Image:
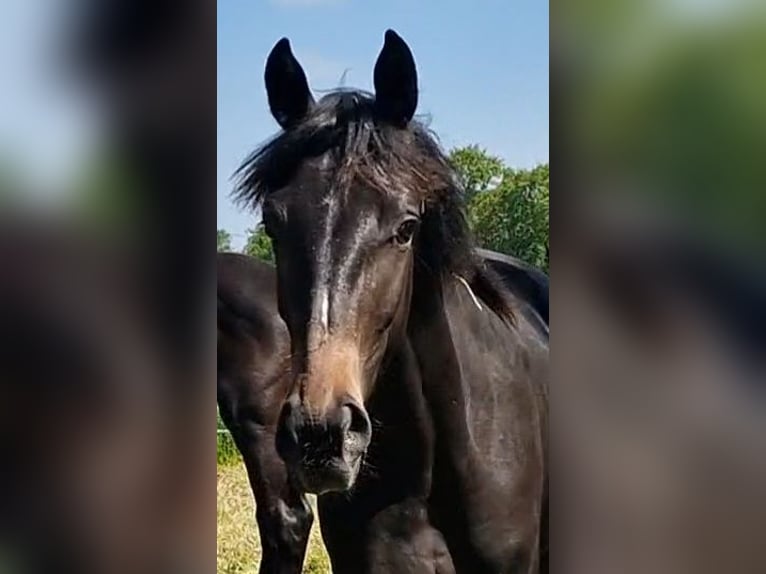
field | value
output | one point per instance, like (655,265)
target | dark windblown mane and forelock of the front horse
(389,160)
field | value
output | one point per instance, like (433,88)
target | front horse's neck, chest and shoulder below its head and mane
(447,460)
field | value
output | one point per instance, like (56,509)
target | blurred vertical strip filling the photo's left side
(107,455)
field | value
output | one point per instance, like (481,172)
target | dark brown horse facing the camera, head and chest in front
(417,409)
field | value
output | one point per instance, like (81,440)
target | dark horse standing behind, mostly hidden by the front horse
(253,381)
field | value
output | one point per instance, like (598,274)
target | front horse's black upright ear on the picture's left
(286,85)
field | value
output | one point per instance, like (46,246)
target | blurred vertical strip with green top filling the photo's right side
(658,111)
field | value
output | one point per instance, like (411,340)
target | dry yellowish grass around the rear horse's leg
(239,550)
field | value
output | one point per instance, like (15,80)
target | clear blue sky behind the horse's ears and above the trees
(482,66)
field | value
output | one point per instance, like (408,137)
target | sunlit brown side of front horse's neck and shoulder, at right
(489,410)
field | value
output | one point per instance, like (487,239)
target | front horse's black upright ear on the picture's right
(396,82)
